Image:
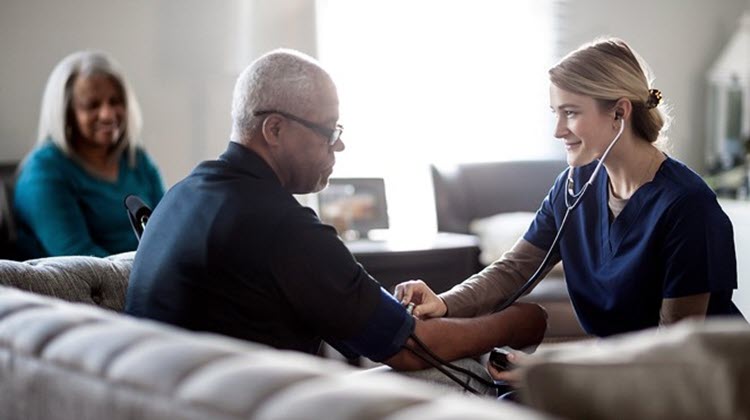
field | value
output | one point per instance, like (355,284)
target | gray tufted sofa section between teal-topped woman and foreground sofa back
(97,281)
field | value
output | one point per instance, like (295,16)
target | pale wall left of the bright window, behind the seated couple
(182,56)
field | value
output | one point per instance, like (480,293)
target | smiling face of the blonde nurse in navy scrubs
(585,129)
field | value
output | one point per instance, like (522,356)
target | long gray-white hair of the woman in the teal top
(58,96)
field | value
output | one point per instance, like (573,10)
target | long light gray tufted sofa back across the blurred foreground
(70,361)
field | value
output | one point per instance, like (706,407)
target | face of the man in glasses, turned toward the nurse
(308,155)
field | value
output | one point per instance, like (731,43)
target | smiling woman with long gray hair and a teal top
(88,158)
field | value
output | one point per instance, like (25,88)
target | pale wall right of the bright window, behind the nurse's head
(678,38)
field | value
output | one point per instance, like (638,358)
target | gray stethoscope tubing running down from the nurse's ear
(576,200)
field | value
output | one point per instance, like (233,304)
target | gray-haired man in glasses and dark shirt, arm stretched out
(229,249)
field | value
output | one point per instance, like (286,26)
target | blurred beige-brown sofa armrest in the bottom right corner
(689,370)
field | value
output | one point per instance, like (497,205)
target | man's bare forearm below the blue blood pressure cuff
(521,325)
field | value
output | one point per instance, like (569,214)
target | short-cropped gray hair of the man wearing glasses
(281,80)
